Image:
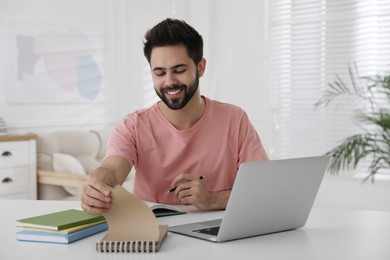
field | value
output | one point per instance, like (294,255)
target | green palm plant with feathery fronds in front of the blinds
(373,144)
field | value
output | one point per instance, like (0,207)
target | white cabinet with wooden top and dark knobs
(18,166)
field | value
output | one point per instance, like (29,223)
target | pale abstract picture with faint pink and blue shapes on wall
(53,64)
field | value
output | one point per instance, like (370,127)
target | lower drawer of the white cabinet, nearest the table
(14,180)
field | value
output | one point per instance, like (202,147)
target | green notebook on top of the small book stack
(60,220)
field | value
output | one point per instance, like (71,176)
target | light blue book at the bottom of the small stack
(60,238)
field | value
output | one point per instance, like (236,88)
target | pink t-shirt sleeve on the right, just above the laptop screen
(250,145)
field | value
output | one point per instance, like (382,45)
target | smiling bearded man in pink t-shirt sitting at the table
(186,143)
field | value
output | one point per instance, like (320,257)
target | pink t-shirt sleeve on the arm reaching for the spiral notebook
(122,141)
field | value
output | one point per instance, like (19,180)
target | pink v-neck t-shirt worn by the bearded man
(214,147)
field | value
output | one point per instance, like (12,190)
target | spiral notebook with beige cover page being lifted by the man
(132,226)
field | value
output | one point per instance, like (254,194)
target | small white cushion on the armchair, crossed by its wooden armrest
(66,163)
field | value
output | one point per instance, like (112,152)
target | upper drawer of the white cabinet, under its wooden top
(15,153)
